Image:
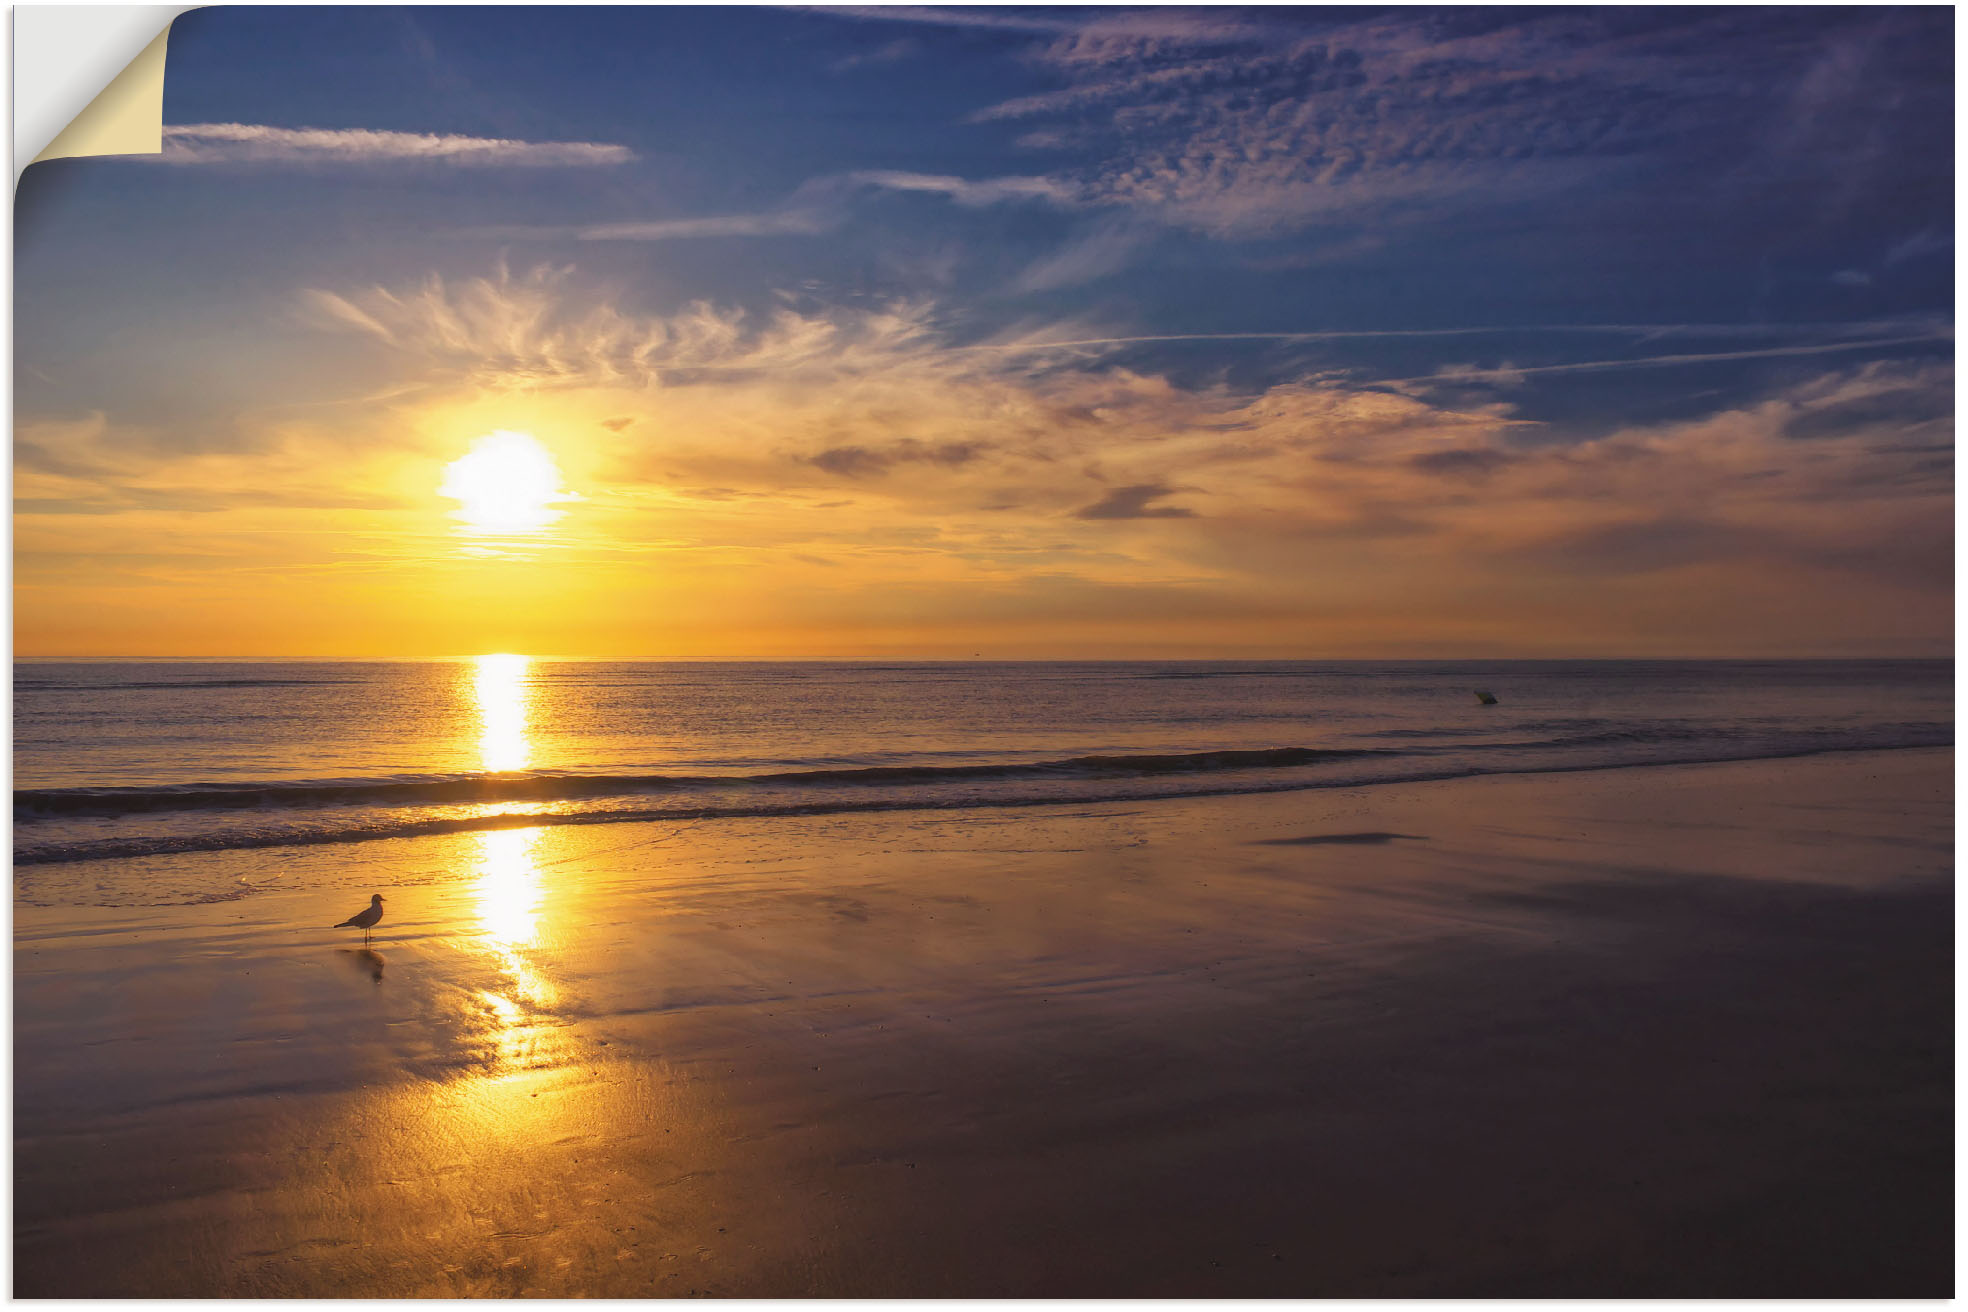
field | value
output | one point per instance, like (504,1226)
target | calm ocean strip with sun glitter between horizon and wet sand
(133,764)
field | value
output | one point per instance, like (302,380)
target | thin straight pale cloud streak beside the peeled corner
(263,145)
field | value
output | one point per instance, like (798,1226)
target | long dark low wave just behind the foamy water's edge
(568,788)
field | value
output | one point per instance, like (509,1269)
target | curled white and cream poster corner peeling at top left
(90,80)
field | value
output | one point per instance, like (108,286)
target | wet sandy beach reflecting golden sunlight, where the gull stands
(1672,1032)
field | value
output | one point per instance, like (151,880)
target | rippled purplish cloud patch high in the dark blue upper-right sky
(1245,131)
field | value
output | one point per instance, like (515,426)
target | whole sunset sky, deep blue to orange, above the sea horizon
(1026,333)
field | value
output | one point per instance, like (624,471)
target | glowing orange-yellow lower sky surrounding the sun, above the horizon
(841,485)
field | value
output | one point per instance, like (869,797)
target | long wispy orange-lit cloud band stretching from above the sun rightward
(845,392)
